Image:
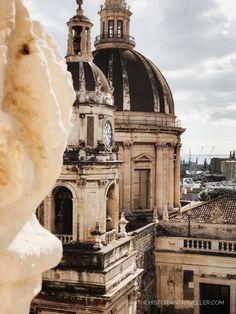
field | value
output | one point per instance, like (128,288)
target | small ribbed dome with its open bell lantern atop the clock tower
(89,81)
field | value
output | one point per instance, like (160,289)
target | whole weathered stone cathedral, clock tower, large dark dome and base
(122,160)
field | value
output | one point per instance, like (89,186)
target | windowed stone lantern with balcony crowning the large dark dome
(115,26)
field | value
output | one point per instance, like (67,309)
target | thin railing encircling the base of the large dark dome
(166,122)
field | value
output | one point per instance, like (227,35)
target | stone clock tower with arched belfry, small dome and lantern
(83,206)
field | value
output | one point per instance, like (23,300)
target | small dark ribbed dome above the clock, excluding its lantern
(90,83)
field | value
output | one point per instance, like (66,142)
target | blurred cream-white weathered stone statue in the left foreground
(36,97)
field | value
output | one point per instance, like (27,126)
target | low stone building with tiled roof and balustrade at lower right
(195,260)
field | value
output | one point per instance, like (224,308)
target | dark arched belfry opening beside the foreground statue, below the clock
(63,210)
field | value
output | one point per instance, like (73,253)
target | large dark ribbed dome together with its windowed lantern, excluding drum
(139,86)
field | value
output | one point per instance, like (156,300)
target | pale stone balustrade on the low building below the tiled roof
(217,246)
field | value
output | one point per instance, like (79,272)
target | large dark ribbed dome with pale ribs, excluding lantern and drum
(138,84)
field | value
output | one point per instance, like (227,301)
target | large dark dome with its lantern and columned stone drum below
(147,131)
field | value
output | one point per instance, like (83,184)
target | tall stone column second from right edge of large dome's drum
(170,175)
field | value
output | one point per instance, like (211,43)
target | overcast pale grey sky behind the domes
(193,42)
